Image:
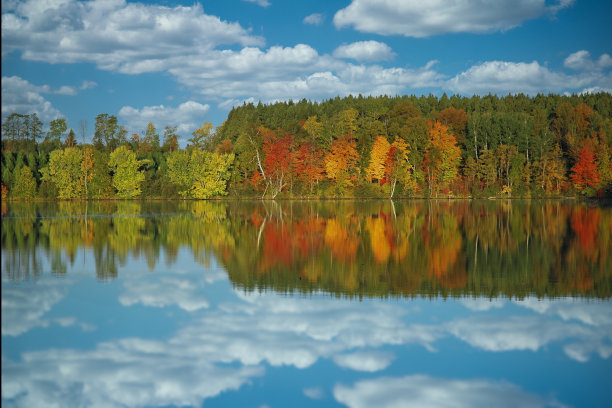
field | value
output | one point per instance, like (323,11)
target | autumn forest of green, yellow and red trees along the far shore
(352,147)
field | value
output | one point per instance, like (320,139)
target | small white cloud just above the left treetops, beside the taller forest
(187,116)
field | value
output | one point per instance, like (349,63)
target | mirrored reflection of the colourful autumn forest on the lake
(348,248)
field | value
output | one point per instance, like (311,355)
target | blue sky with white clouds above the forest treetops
(182,63)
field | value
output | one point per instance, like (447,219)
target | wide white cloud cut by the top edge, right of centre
(416,18)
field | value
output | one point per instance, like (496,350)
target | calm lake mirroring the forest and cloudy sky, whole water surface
(332,303)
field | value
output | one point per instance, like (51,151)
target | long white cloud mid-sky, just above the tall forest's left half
(297,72)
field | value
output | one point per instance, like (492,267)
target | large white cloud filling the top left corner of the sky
(114,34)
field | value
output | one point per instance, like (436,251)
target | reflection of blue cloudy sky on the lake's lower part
(183,336)
